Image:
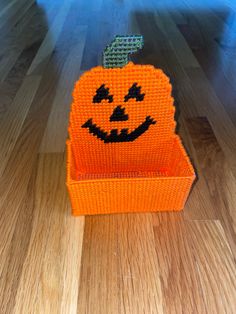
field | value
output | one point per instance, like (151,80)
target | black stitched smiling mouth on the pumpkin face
(123,136)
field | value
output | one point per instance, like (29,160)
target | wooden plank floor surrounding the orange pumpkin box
(51,262)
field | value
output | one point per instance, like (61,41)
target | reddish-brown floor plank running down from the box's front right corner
(182,292)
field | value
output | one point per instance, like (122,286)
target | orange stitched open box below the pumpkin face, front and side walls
(164,190)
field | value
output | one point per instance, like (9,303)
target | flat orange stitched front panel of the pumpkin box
(119,196)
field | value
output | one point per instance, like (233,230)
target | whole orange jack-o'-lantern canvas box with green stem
(123,154)
